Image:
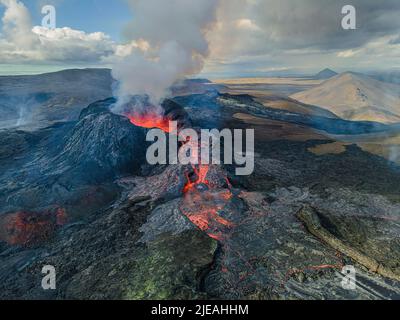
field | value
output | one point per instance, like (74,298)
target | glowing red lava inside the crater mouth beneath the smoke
(149,119)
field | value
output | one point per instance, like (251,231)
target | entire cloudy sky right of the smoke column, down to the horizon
(258,35)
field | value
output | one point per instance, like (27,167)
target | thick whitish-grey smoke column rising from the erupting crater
(175,31)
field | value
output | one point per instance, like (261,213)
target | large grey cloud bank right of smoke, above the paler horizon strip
(288,24)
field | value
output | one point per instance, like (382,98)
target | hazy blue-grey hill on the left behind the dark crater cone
(36,101)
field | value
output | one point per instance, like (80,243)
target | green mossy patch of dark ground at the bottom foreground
(172,267)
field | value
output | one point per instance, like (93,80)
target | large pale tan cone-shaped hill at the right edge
(354,96)
